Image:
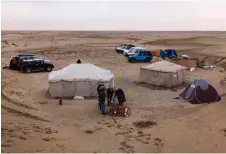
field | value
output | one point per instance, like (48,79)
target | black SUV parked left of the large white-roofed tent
(36,64)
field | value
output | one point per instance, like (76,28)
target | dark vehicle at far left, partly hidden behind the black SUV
(14,62)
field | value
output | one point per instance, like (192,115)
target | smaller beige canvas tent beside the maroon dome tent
(162,73)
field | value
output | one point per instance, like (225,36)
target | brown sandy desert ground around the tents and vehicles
(33,122)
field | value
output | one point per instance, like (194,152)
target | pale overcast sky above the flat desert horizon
(160,15)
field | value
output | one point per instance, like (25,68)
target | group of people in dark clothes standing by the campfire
(113,96)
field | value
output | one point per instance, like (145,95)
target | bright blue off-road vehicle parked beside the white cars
(142,55)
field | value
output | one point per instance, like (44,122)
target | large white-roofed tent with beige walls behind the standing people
(78,80)
